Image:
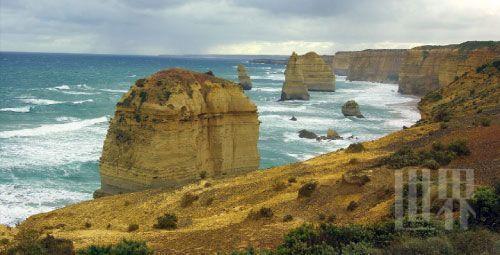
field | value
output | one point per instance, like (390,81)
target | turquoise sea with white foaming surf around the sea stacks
(54,112)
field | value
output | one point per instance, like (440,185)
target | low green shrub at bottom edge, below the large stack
(125,247)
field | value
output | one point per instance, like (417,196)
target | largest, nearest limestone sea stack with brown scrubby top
(174,125)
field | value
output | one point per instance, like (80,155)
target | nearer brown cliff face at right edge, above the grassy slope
(430,67)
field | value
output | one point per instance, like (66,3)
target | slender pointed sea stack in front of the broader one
(294,87)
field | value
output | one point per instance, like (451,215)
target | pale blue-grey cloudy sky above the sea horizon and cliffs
(152,27)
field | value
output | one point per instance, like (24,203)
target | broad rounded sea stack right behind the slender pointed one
(318,75)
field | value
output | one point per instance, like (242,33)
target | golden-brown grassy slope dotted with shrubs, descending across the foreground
(217,219)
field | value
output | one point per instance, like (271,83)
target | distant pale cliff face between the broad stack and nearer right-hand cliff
(376,65)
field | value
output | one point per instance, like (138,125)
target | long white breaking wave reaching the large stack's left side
(52,128)
